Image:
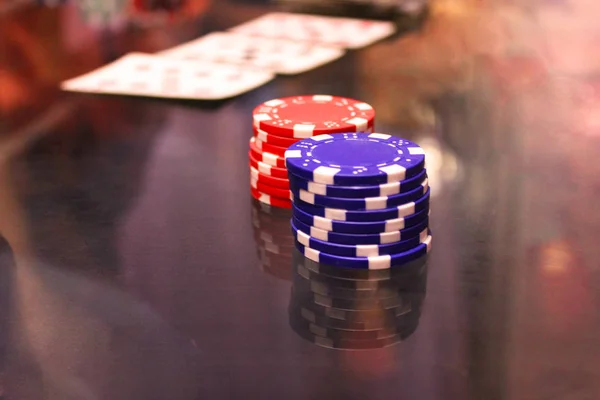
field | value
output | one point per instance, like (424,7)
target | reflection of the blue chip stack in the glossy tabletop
(355,309)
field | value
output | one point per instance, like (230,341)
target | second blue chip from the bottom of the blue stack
(361,250)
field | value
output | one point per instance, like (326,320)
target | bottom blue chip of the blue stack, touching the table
(373,262)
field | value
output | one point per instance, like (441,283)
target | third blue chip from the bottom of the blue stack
(369,238)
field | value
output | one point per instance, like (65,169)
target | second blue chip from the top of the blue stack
(384,189)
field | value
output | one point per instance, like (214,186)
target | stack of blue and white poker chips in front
(360,200)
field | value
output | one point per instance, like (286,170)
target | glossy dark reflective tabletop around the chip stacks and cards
(129,268)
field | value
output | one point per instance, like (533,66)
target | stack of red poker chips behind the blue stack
(279,123)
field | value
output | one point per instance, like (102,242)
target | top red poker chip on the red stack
(306,116)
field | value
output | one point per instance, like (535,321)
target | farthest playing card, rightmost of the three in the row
(340,32)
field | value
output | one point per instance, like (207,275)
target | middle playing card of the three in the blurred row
(277,55)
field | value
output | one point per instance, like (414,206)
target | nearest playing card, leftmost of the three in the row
(140,74)
